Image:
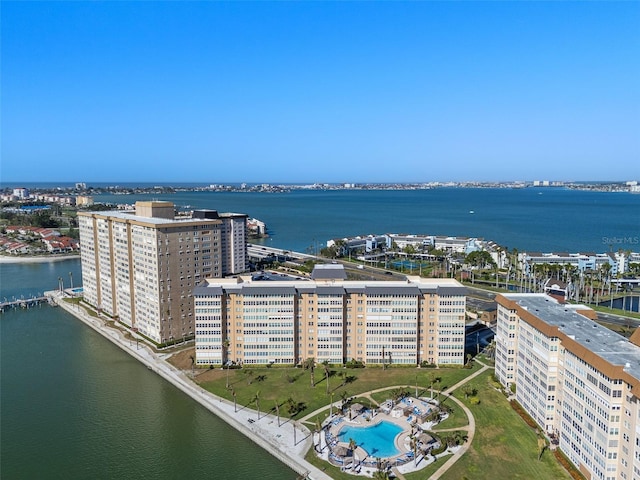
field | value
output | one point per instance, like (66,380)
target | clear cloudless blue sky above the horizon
(320,91)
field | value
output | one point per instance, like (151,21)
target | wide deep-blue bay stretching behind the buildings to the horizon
(535,219)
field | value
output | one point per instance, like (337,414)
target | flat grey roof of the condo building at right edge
(607,344)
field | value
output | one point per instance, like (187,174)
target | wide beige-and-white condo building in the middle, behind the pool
(329,318)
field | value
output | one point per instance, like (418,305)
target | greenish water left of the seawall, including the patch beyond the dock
(74,406)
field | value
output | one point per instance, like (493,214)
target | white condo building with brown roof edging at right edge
(577,379)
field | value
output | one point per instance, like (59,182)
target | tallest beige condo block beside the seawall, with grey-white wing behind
(141,267)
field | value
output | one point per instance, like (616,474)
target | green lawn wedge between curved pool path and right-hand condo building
(504,446)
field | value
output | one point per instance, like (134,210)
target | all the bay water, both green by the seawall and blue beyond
(75,406)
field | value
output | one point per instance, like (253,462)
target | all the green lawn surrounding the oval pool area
(503,447)
